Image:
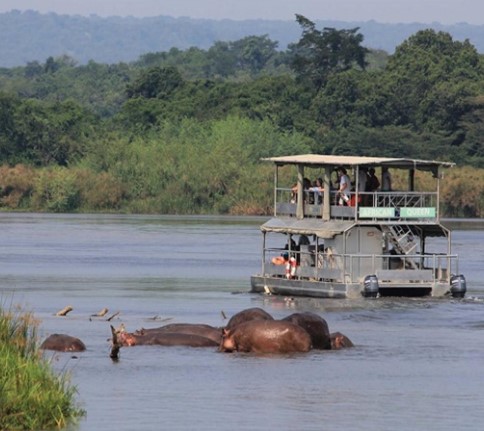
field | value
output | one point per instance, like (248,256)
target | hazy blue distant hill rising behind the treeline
(31,36)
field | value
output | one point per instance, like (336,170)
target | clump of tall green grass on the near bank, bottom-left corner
(32,396)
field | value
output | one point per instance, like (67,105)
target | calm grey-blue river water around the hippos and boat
(417,365)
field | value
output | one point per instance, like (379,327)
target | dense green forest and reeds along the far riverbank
(183,131)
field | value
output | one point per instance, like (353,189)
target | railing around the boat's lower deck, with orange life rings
(353,268)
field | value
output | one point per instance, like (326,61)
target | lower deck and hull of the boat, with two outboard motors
(354,260)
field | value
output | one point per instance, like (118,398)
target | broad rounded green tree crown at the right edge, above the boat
(430,79)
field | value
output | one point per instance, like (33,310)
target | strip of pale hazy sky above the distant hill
(385,11)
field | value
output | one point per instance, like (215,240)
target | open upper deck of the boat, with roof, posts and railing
(406,205)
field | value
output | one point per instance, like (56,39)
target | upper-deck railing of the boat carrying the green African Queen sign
(366,206)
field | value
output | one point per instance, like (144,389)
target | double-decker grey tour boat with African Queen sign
(381,242)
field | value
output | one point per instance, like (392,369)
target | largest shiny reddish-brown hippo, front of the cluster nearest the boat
(266,336)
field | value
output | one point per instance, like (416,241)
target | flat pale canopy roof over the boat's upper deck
(333,161)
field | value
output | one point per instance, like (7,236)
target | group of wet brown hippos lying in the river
(252,330)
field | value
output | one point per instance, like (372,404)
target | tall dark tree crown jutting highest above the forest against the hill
(318,54)
